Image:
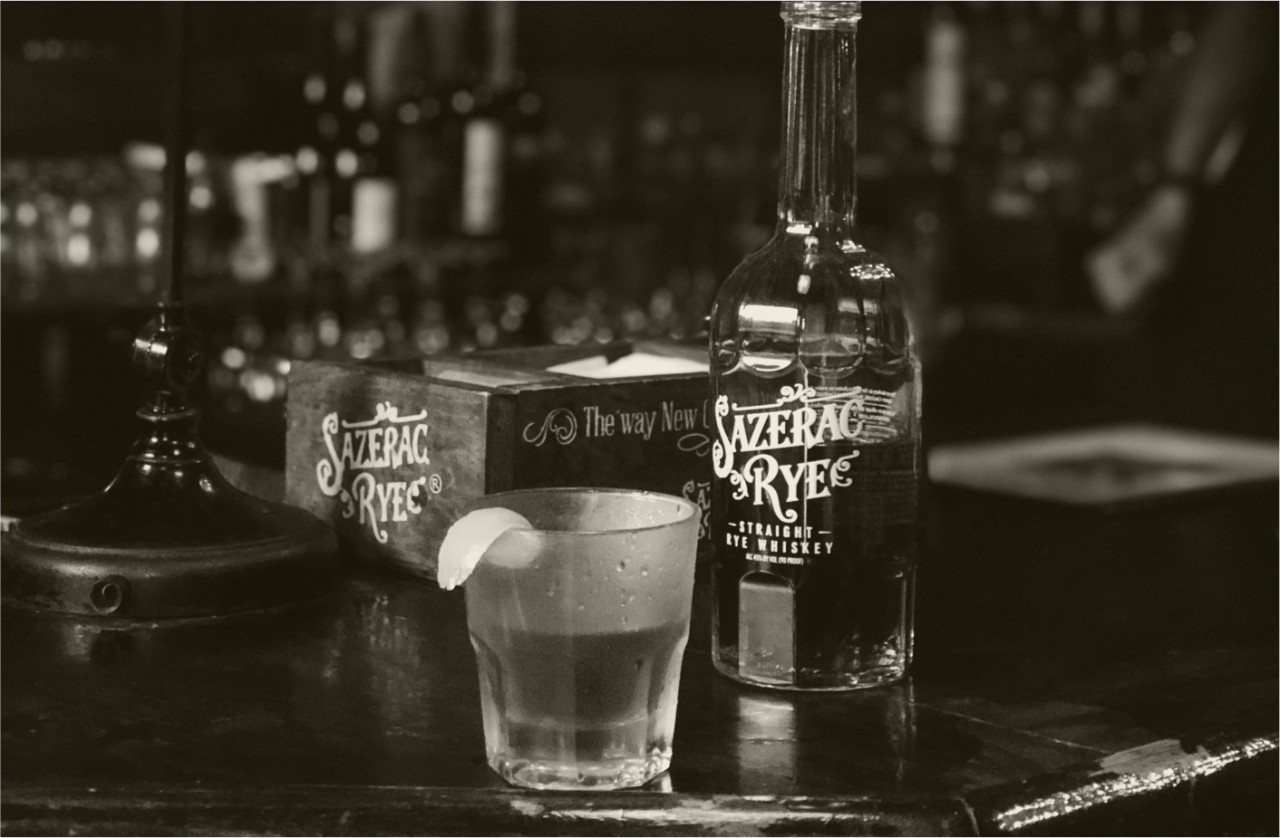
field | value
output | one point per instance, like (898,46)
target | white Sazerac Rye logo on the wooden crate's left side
(378,468)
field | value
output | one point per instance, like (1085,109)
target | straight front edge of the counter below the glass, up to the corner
(340,810)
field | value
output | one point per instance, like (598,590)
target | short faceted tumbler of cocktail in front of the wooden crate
(580,626)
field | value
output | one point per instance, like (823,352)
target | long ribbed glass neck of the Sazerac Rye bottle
(817,185)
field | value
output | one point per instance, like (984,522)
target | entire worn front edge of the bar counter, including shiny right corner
(1201,770)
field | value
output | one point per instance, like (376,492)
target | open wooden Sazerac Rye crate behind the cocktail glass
(391,454)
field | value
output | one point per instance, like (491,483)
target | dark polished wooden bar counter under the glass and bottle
(1077,674)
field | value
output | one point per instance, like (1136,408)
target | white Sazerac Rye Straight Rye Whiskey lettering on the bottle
(808,446)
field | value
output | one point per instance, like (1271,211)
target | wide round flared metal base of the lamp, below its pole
(168,539)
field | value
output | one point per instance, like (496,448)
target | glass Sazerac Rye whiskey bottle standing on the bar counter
(816,411)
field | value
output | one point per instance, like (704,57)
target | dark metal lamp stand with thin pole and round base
(170,538)
